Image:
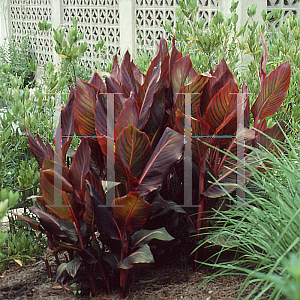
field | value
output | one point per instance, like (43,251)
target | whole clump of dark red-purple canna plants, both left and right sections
(133,123)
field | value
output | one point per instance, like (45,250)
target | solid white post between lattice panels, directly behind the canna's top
(127,26)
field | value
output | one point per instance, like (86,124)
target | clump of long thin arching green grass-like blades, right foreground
(263,231)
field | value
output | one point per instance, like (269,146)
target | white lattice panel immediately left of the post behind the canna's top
(98,20)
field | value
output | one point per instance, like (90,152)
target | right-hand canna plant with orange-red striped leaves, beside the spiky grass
(219,126)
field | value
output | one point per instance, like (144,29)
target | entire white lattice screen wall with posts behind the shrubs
(123,24)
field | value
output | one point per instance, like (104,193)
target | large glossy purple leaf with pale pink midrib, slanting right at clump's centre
(167,152)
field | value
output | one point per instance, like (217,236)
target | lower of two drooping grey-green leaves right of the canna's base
(142,255)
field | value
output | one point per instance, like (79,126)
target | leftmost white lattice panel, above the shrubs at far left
(25,16)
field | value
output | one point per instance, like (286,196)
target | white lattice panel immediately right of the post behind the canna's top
(152,14)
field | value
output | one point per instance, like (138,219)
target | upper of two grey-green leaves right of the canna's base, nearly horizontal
(144,236)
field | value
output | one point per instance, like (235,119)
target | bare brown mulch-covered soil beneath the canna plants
(155,282)
